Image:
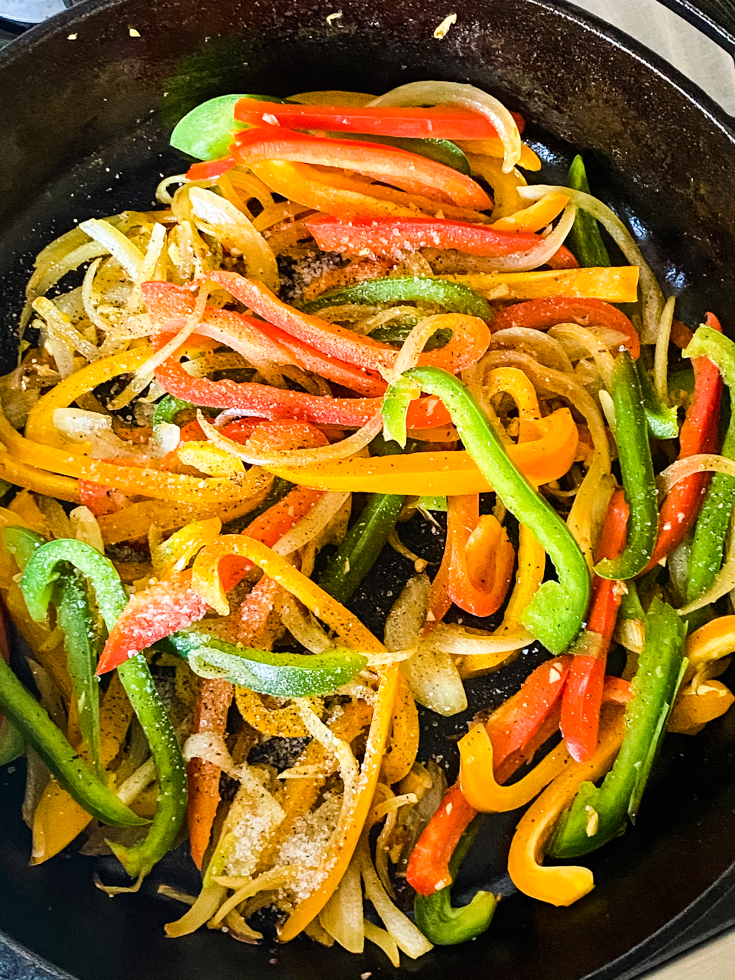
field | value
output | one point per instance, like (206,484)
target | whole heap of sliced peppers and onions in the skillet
(350,317)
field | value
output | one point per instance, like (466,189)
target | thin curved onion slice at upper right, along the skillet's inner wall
(652,300)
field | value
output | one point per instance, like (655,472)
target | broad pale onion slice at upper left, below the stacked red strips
(219,218)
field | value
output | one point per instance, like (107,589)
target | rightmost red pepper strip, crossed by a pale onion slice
(699,434)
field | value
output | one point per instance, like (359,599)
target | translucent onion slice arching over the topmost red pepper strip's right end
(468,97)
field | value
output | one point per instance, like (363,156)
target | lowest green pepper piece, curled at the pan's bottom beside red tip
(439,920)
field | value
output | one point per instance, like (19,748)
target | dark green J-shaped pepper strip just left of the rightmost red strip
(636,467)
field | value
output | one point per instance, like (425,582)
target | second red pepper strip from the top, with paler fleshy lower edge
(391,165)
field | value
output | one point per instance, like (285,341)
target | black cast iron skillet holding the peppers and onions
(87,106)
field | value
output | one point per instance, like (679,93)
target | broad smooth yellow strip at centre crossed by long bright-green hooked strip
(445,473)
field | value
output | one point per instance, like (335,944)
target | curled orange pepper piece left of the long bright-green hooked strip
(481,557)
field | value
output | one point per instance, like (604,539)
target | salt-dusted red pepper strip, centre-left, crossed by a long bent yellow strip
(173,604)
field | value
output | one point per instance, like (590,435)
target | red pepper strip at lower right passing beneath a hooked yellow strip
(517,729)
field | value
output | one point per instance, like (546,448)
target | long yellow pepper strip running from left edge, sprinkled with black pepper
(128,478)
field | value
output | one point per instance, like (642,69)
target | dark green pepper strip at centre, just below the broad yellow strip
(361,546)
